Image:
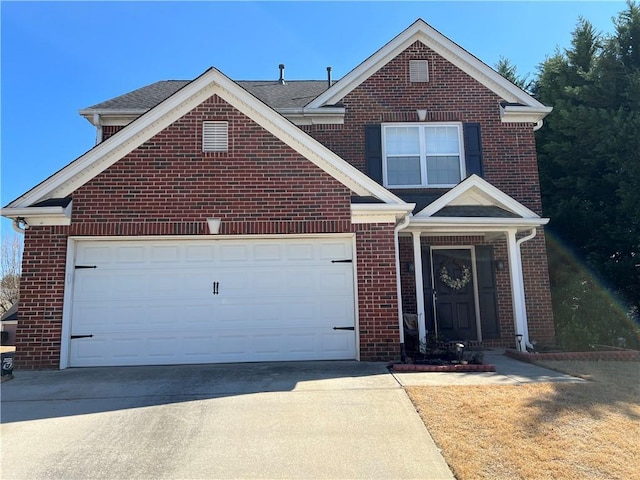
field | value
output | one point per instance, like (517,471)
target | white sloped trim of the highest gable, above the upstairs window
(421,31)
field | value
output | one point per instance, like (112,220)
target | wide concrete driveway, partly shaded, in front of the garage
(333,420)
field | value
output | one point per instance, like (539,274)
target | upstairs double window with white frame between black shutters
(422,155)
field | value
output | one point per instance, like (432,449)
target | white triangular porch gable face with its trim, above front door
(474,190)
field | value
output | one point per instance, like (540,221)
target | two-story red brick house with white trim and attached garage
(222,221)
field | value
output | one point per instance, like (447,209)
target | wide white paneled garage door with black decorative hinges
(207,301)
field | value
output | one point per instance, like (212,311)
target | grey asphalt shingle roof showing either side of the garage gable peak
(293,94)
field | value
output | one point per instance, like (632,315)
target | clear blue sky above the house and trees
(59,57)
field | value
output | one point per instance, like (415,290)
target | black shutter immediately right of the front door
(487,292)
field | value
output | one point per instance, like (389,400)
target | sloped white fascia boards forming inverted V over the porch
(501,199)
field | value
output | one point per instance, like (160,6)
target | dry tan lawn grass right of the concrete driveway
(580,431)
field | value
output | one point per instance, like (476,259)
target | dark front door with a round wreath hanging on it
(455,294)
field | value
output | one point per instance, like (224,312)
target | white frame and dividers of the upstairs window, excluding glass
(423,154)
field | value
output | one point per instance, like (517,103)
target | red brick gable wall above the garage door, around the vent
(170,179)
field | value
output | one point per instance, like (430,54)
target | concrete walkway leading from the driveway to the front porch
(508,372)
